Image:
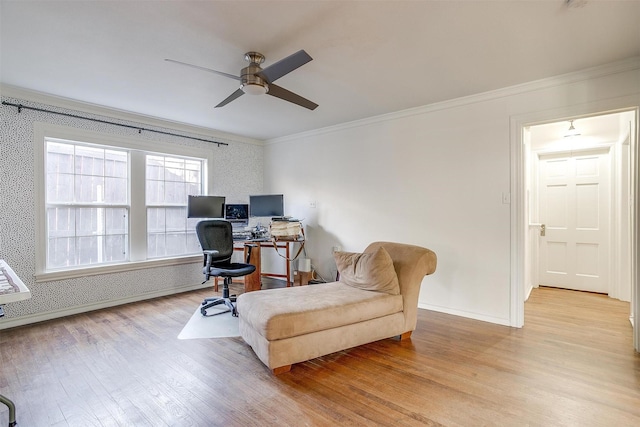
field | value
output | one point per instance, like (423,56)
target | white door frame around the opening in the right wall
(519,216)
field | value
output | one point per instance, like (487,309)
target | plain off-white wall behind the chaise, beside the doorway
(432,176)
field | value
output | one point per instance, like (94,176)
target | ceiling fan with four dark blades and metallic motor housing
(255,80)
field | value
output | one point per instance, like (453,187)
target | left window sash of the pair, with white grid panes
(86,205)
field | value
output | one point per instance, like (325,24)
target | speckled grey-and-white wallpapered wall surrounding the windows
(237,169)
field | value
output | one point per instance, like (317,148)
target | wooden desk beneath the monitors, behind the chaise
(250,283)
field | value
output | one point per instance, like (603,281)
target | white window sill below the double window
(52,276)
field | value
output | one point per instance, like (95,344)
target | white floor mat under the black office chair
(218,326)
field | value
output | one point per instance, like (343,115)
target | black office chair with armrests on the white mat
(216,239)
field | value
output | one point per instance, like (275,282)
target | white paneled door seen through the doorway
(574,207)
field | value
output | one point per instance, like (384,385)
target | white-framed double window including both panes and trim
(110,203)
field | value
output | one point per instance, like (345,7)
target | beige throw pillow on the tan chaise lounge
(369,271)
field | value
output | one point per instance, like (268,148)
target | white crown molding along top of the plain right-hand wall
(618,67)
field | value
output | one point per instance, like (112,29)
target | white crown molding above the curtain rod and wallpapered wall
(89,108)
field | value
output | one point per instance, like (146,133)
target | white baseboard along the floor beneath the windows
(8,323)
